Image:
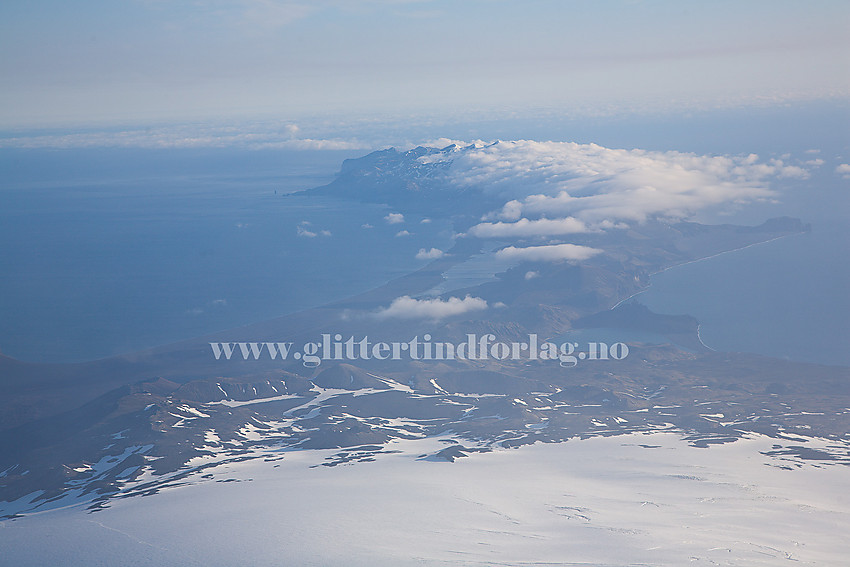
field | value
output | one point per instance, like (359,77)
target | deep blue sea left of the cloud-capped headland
(110,251)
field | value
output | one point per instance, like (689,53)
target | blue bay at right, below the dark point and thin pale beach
(786,298)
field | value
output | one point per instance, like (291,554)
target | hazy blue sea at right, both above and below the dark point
(785,298)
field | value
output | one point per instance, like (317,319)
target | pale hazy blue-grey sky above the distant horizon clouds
(97,61)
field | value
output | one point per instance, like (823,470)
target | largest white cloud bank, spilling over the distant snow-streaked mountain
(565,184)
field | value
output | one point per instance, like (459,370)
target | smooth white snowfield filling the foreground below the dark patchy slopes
(639,499)
